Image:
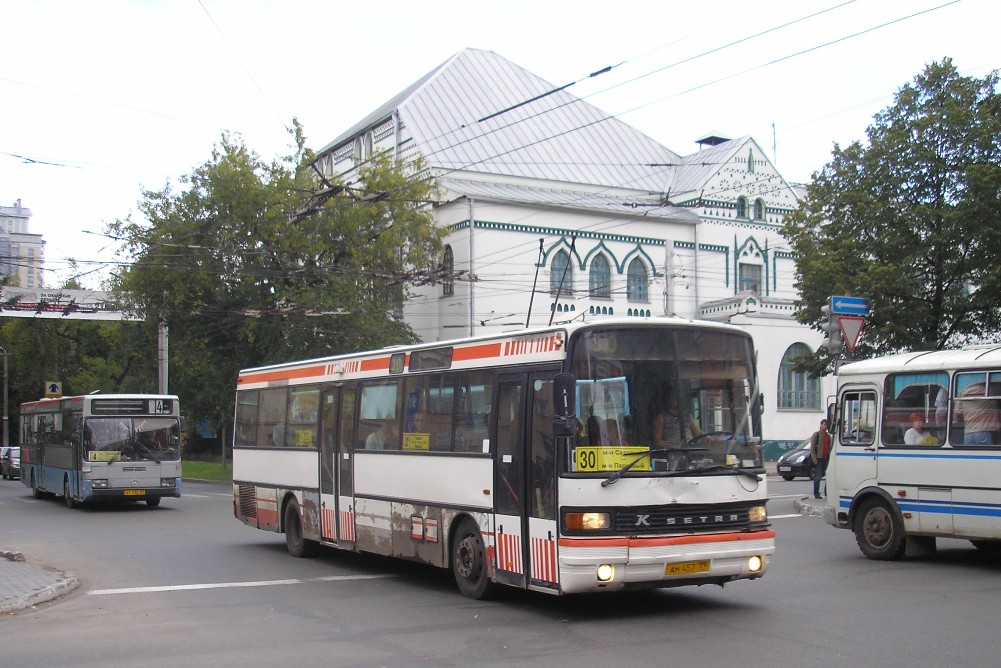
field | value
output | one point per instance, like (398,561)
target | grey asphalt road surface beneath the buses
(187,584)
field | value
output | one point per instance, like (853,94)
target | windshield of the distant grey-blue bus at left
(132,440)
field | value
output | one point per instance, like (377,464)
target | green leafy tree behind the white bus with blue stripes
(911,220)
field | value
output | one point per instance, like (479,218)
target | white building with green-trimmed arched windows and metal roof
(557,211)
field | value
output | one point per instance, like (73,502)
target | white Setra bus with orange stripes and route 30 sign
(527,459)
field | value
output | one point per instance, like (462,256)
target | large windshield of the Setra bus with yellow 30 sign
(684,397)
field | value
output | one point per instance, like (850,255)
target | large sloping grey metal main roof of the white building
(557,138)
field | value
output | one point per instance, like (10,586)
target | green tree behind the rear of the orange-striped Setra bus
(253,263)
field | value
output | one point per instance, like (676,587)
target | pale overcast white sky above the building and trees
(103,100)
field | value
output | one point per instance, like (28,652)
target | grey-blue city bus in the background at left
(103,448)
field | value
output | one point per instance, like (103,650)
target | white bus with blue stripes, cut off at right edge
(917,451)
